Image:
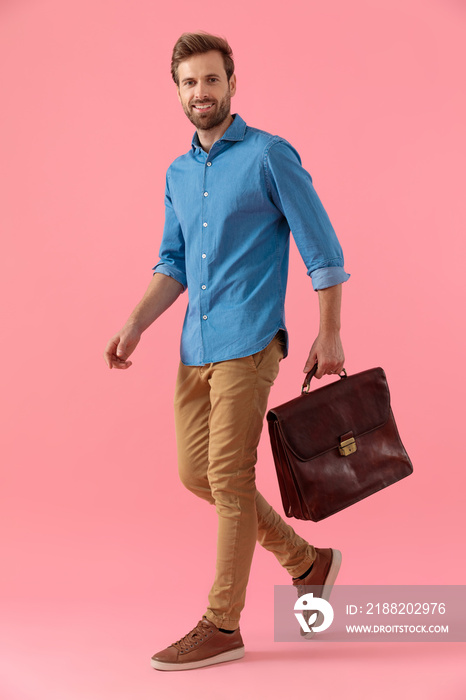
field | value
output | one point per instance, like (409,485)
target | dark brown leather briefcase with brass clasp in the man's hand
(336,445)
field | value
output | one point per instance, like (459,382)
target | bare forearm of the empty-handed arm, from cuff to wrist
(161,293)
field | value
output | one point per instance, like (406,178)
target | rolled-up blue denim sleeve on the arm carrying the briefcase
(291,189)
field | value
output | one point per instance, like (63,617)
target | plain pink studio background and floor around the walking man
(105,557)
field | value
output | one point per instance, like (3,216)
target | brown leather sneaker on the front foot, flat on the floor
(203,646)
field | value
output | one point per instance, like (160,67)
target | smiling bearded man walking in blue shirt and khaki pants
(230,204)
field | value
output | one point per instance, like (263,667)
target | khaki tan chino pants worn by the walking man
(219,414)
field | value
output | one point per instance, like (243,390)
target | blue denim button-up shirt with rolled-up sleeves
(228,215)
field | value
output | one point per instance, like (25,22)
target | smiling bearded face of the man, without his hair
(204,91)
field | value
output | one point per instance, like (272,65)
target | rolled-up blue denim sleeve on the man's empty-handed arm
(172,249)
